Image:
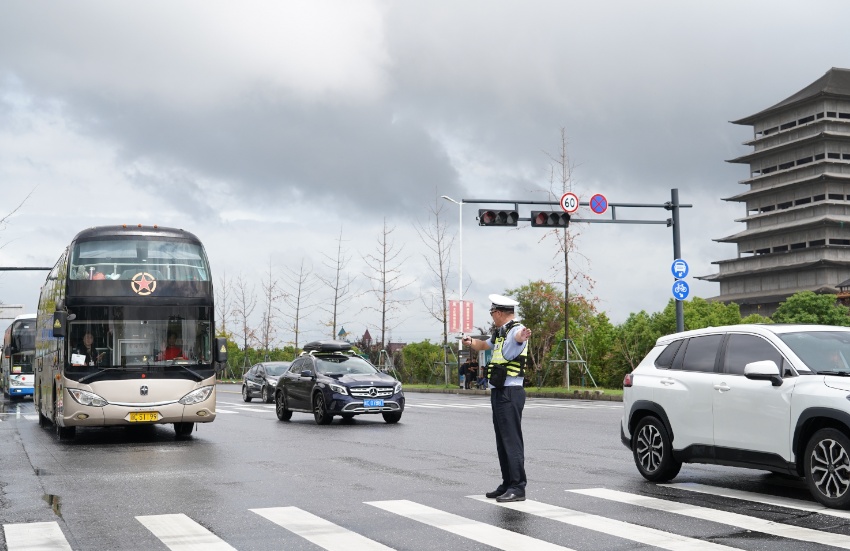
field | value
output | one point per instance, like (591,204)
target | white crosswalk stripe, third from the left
(319,531)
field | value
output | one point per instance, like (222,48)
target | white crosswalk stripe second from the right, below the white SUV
(723,517)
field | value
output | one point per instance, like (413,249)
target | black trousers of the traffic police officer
(507,404)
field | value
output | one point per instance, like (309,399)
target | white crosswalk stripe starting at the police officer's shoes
(620,529)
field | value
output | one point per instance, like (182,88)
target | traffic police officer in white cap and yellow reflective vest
(505,372)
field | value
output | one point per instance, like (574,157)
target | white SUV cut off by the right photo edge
(772,397)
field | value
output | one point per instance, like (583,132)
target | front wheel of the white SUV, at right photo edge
(827,468)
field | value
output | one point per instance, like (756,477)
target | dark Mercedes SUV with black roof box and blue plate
(327,379)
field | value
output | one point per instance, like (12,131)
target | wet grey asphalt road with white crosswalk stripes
(250,482)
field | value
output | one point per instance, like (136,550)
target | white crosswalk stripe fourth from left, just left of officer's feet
(467,528)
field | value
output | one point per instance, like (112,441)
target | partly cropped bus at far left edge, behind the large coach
(16,373)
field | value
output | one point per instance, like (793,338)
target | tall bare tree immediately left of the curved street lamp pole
(439,245)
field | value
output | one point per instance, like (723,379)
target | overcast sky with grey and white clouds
(267,128)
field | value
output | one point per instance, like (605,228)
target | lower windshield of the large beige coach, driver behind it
(123,339)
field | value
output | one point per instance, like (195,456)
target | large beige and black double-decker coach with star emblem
(126,332)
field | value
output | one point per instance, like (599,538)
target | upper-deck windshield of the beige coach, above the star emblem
(130,257)
